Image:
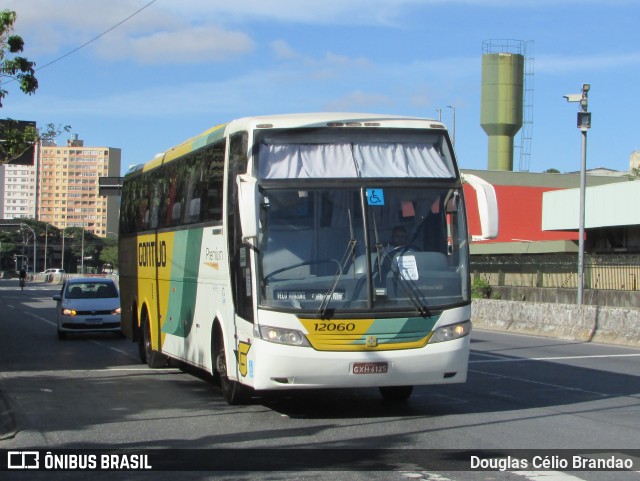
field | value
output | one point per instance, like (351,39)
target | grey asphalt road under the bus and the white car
(523,393)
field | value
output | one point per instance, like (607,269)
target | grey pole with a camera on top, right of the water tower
(584,124)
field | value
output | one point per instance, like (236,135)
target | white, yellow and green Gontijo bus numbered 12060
(303,251)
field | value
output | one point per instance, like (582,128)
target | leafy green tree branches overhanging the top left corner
(13,68)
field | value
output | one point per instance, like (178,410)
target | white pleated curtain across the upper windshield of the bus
(288,161)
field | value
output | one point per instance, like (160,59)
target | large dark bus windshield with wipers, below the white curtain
(394,248)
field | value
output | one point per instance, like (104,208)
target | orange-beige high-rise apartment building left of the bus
(68,186)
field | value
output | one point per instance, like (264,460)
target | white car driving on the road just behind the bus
(88,304)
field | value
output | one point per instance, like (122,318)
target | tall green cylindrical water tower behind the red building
(502,100)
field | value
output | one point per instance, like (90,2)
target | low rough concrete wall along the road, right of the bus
(587,323)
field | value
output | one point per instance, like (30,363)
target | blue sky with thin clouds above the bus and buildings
(145,75)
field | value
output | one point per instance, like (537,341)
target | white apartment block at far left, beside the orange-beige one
(17,191)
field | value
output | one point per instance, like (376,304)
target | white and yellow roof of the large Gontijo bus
(301,120)
